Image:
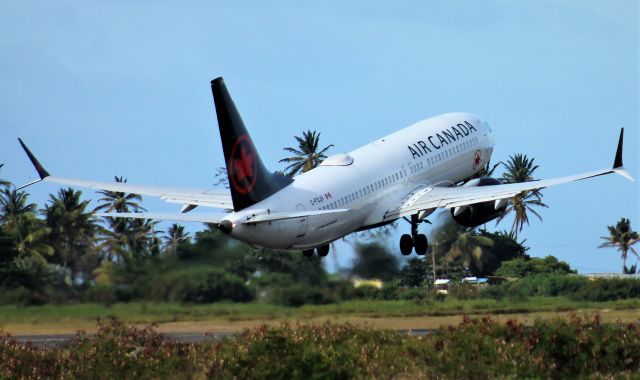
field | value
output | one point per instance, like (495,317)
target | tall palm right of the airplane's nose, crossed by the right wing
(520,168)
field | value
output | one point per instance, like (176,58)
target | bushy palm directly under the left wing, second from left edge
(73,232)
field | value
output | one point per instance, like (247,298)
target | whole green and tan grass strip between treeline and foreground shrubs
(236,316)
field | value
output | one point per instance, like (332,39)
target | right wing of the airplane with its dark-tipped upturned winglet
(449,197)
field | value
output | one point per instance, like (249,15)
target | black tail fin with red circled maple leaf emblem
(249,180)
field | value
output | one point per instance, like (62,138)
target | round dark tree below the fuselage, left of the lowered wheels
(374,261)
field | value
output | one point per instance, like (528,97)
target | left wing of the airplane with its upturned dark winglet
(200,197)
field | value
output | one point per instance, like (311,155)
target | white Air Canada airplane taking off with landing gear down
(430,165)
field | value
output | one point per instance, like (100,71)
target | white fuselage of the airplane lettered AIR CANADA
(370,181)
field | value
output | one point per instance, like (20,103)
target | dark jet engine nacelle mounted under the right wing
(479,213)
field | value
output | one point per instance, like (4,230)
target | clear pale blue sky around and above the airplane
(99,89)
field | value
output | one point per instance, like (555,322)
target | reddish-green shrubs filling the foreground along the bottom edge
(477,348)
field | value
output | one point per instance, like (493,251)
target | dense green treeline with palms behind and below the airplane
(62,253)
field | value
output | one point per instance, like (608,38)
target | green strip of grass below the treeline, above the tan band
(151,312)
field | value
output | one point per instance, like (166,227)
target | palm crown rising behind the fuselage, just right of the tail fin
(306,156)
